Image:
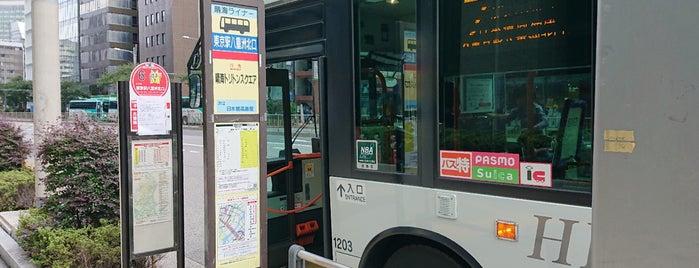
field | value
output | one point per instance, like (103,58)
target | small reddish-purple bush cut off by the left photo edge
(13,147)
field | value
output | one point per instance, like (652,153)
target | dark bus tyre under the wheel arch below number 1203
(417,255)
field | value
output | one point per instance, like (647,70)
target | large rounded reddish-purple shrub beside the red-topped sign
(81,160)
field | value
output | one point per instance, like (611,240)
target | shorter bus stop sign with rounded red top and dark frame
(151,187)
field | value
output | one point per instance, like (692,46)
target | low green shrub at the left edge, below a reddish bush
(16,189)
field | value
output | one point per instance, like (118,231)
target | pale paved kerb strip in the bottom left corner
(10,252)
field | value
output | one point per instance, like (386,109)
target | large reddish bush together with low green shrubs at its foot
(78,226)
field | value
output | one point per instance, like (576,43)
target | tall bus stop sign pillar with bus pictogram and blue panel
(233,79)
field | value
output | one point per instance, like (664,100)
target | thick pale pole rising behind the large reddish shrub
(46,73)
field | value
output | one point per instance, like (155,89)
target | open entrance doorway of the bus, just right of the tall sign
(293,159)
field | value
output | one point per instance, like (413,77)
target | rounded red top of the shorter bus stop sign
(149,79)
